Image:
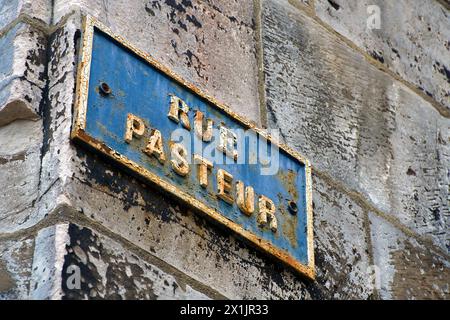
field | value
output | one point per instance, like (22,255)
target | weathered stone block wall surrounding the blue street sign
(370,108)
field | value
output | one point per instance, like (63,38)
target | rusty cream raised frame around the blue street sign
(78,134)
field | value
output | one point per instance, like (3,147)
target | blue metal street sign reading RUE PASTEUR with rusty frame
(140,114)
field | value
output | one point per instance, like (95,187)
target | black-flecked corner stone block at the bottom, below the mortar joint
(73,262)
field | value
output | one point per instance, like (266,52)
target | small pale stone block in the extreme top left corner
(36,9)
